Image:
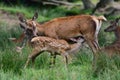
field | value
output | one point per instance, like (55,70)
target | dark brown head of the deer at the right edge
(113,25)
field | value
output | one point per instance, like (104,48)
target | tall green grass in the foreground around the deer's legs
(12,63)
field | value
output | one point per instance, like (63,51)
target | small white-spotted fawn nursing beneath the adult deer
(54,46)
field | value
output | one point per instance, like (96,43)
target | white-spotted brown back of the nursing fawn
(50,43)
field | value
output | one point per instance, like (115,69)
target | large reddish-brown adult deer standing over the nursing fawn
(86,26)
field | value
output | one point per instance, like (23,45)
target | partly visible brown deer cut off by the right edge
(114,48)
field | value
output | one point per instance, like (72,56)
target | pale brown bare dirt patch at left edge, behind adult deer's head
(8,19)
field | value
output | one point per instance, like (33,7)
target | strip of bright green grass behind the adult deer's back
(44,13)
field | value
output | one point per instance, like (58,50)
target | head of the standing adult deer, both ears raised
(29,26)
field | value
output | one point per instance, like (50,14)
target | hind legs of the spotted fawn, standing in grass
(32,57)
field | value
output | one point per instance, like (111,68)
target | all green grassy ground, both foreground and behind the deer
(12,63)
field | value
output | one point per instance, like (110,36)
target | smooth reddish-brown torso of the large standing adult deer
(67,27)
